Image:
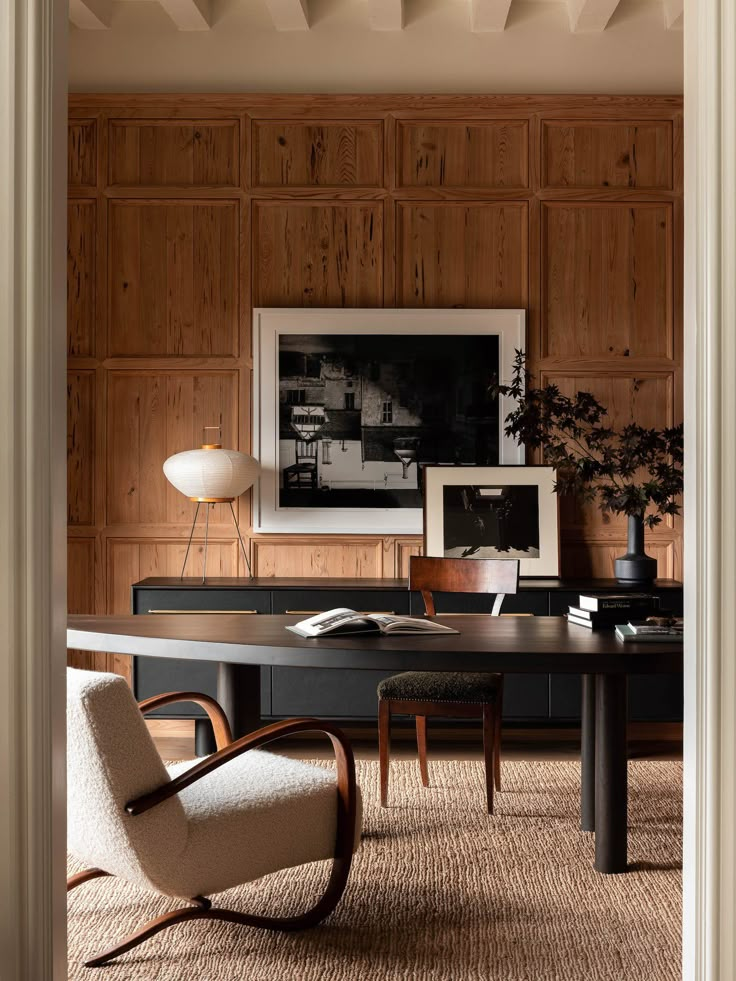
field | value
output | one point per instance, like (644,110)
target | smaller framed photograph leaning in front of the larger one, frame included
(499,512)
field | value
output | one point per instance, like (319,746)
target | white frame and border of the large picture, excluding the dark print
(271,329)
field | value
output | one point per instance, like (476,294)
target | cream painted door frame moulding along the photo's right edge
(710,540)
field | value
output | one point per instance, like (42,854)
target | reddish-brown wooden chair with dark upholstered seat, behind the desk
(455,695)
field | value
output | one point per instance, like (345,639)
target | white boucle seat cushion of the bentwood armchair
(256,814)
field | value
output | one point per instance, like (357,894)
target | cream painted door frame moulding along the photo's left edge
(33,41)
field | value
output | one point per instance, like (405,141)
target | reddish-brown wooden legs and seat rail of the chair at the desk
(490,713)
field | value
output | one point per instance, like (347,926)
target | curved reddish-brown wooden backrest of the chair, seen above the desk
(493,576)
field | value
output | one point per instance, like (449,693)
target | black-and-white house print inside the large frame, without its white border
(361,415)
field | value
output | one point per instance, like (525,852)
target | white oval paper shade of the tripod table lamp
(211,474)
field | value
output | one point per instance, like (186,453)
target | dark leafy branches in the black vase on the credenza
(631,470)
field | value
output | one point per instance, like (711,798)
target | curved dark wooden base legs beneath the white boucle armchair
(202,909)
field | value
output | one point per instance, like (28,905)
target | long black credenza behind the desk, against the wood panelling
(350,696)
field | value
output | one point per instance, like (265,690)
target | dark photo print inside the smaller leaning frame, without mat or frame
(487,522)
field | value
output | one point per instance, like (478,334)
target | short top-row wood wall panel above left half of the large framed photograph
(317,154)
